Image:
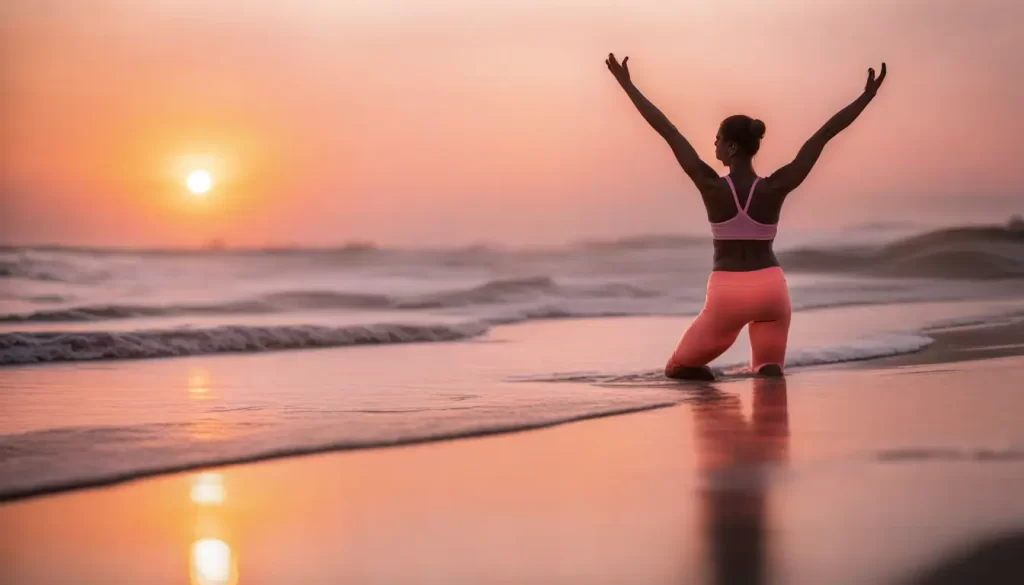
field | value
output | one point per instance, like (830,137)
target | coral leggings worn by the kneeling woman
(759,299)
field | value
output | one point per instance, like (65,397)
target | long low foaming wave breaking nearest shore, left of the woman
(34,348)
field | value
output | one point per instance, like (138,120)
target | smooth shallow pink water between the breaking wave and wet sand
(82,424)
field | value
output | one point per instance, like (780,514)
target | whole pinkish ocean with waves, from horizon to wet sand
(294,351)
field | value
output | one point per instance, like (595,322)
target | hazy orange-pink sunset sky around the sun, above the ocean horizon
(457,122)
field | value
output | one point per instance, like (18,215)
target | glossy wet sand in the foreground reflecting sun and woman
(903,471)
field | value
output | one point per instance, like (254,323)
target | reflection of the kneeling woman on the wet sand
(733,455)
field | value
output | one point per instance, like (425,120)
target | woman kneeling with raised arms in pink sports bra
(747,285)
